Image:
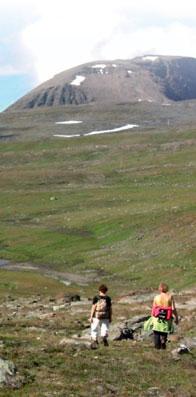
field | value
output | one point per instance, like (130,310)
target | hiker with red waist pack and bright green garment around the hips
(163,312)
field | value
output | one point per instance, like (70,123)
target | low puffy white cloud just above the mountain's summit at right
(175,39)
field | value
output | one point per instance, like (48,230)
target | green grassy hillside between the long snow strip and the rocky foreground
(124,203)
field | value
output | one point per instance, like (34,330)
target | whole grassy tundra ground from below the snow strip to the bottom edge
(114,208)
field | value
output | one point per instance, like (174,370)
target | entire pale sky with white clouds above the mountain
(40,38)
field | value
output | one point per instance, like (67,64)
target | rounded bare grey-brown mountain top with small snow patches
(149,78)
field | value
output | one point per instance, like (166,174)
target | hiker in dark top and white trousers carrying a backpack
(100,317)
